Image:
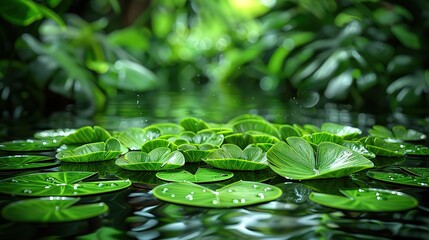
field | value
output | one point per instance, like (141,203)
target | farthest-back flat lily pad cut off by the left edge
(30,145)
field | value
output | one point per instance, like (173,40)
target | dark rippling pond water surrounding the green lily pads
(136,213)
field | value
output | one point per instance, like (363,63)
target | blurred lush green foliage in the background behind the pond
(370,53)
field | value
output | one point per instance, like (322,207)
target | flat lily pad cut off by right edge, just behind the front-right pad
(401,178)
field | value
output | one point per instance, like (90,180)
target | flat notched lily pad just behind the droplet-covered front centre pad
(201,175)
